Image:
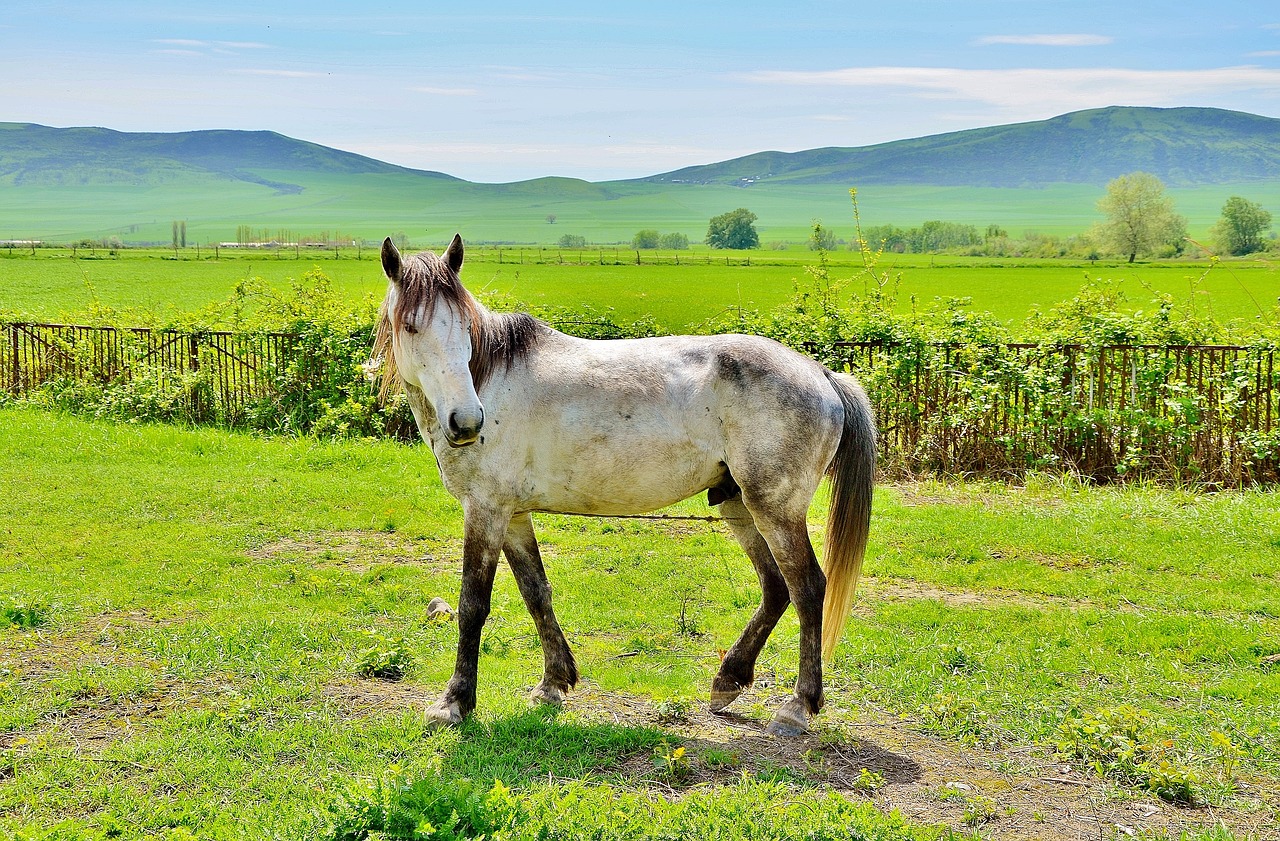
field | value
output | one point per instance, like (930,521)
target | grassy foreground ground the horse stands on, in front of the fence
(186,614)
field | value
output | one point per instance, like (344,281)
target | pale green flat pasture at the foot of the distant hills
(431,209)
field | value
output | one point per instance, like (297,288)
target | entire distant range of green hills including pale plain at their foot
(63,185)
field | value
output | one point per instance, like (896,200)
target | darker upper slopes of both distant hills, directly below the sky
(1183,147)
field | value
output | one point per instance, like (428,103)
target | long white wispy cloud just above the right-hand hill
(1039,89)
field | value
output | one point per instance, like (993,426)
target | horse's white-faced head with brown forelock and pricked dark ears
(428,333)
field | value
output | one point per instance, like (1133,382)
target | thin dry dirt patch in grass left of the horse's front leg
(360,551)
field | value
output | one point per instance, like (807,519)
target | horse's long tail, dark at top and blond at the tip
(849,519)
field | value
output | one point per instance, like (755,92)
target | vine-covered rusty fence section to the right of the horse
(1208,414)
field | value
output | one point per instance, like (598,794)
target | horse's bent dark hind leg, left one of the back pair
(738,670)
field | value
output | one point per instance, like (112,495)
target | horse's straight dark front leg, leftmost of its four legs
(483,538)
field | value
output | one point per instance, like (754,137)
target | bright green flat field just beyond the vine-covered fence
(687,298)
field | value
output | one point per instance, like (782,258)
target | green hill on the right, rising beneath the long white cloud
(1183,147)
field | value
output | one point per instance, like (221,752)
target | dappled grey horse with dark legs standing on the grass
(524,419)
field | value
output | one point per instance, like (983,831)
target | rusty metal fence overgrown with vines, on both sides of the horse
(1208,414)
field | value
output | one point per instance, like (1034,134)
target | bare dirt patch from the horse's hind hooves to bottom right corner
(1018,793)
